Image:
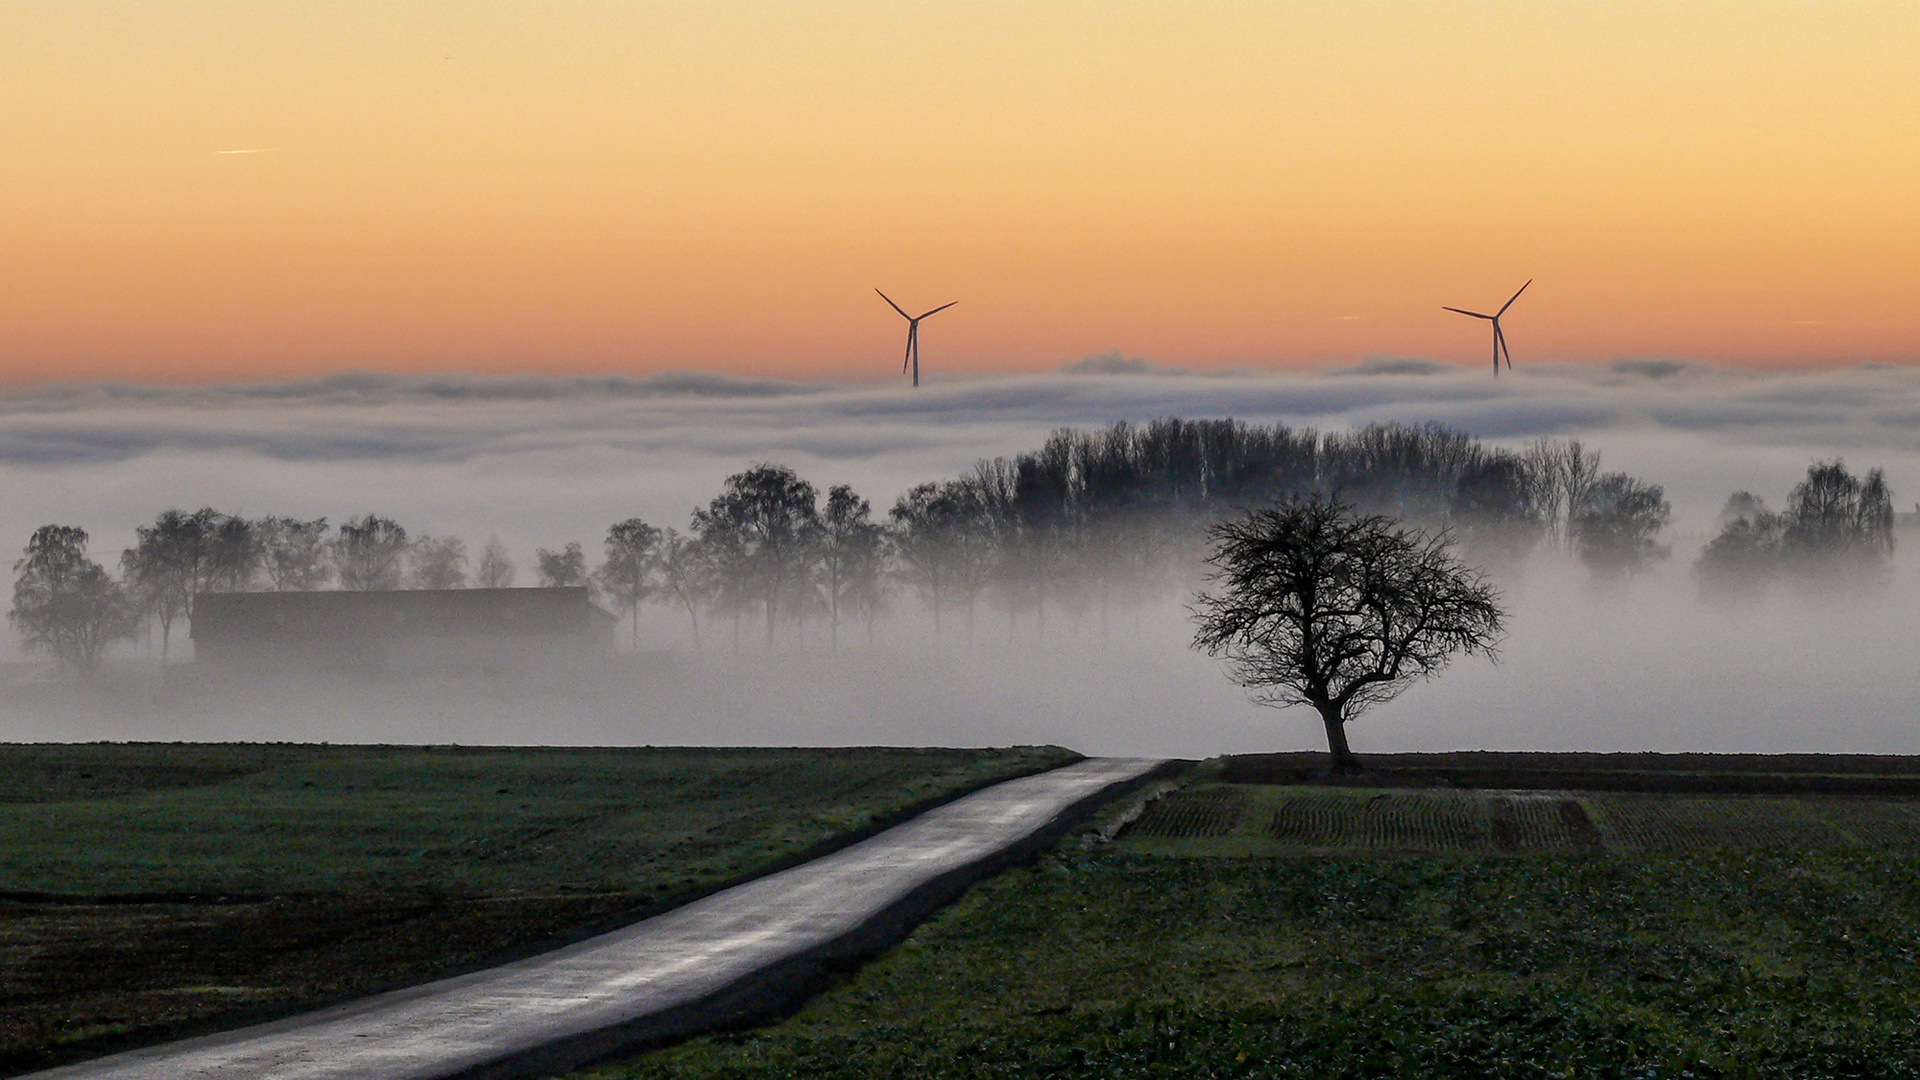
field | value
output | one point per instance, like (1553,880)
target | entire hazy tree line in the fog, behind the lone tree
(1090,522)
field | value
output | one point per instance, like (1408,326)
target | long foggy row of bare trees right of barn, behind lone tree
(1118,516)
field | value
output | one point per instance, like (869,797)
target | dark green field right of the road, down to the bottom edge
(1314,931)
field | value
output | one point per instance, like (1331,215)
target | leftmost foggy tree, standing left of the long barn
(66,602)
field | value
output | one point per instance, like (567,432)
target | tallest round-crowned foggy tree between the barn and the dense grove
(761,537)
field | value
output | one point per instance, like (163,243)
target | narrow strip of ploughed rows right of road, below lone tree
(1260,820)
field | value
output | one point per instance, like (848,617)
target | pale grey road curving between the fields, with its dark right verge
(719,960)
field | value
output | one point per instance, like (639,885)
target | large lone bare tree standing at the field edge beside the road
(1328,608)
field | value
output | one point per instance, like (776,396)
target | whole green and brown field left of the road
(149,891)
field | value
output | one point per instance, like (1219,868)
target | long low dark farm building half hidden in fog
(473,629)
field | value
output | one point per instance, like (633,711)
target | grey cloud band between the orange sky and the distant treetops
(552,460)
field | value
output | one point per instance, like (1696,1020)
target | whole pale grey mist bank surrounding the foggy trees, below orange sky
(540,462)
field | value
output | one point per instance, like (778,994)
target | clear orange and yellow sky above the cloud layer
(638,187)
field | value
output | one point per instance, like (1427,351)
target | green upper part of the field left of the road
(448,820)
